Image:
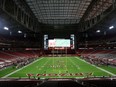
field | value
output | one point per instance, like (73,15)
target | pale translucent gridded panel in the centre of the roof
(59,11)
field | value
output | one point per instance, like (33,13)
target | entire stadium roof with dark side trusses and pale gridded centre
(56,16)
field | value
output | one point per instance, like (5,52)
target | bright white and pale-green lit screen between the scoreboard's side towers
(59,43)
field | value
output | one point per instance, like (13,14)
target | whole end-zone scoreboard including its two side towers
(59,42)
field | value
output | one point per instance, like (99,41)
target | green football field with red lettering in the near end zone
(60,67)
